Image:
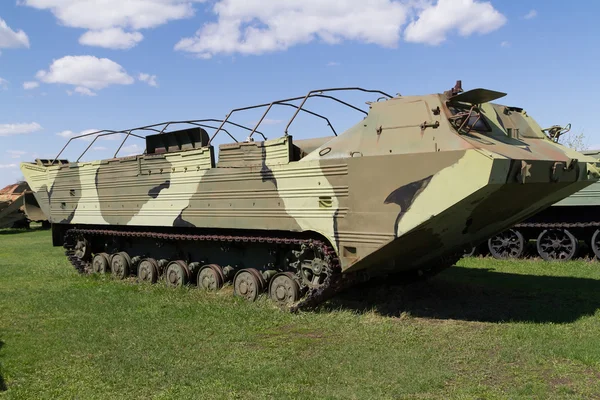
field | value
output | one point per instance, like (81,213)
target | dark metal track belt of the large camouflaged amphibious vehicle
(334,283)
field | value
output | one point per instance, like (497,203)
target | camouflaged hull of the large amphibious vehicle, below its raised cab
(415,213)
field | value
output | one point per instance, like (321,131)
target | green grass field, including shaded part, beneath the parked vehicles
(485,329)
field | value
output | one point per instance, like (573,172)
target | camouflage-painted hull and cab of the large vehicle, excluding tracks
(397,191)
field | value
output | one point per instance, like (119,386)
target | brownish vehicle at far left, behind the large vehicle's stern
(18,207)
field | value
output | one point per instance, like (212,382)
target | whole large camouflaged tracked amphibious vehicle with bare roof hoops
(402,192)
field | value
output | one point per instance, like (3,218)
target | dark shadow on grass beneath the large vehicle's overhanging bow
(475,294)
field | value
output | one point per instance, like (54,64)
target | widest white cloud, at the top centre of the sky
(258,26)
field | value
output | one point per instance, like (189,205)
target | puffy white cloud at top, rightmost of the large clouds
(435,22)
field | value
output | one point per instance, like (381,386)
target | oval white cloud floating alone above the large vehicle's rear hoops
(86,73)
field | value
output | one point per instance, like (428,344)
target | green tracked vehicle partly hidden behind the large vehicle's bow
(558,231)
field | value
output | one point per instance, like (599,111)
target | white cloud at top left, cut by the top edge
(108,20)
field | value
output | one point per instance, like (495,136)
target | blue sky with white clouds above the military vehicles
(67,66)
